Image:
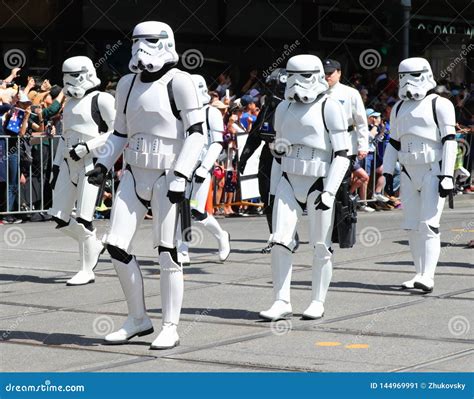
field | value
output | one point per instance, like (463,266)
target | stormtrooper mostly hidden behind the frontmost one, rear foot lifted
(214,127)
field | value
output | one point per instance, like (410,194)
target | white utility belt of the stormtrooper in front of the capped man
(305,161)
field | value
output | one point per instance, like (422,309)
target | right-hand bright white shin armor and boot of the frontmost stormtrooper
(172,287)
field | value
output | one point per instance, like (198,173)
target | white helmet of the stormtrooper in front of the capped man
(305,78)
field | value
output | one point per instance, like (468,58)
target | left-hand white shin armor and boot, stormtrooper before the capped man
(281,273)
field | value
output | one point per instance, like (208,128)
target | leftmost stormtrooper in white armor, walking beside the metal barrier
(88,119)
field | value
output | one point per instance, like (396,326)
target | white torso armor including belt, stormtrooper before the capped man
(310,151)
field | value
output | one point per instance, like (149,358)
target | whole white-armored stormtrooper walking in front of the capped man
(312,140)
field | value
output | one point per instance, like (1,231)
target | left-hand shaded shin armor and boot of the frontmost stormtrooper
(137,323)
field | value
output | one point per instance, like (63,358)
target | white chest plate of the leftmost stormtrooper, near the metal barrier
(78,124)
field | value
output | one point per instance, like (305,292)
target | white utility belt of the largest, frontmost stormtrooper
(152,152)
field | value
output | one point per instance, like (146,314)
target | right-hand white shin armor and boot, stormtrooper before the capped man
(322,274)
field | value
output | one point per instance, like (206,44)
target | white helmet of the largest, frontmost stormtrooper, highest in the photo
(153,46)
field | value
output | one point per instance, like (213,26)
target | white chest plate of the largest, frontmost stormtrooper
(149,110)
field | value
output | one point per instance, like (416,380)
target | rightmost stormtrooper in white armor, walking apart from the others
(423,141)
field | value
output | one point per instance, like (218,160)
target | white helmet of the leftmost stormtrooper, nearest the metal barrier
(79,76)
